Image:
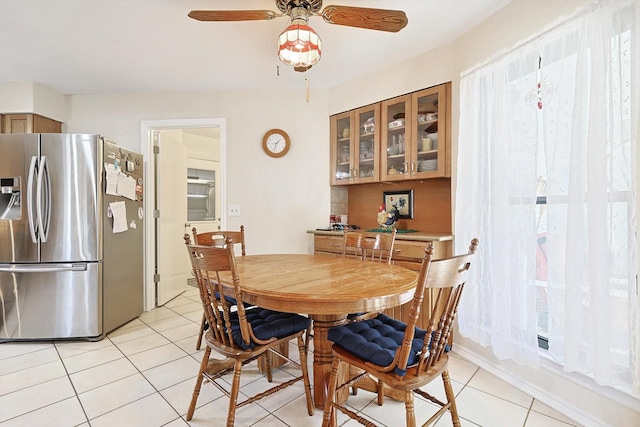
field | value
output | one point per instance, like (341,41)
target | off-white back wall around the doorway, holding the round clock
(279,198)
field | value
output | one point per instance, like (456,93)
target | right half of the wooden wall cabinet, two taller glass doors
(415,139)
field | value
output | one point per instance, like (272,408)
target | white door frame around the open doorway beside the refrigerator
(146,143)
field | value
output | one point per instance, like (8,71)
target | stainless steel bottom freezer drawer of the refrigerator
(50,301)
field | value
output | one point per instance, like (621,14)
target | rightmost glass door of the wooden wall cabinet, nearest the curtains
(429,139)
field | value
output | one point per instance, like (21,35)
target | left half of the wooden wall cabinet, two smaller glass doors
(355,146)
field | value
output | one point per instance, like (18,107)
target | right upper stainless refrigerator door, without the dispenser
(70,197)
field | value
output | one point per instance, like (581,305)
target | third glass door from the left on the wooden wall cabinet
(396,136)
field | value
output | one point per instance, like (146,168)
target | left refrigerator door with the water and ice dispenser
(18,158)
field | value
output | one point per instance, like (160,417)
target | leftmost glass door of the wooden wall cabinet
(341,148)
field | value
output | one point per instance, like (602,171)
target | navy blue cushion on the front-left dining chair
(267,324)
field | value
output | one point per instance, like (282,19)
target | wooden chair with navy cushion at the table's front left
(241,335)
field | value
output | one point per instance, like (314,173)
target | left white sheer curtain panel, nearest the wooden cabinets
(495,201)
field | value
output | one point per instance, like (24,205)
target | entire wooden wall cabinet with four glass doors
(403,138)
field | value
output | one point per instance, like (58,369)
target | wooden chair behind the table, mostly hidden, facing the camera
(367,246)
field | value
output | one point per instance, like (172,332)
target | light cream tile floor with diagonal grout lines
(143,373)
